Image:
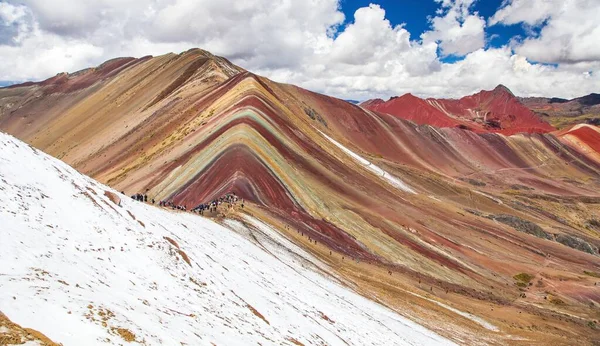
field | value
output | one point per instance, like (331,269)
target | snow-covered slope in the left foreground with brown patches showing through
(84,268)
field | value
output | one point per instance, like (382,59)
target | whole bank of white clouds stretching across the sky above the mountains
(305,42)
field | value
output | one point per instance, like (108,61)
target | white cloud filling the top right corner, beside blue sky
(570,31)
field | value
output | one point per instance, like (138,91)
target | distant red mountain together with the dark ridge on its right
(497,110)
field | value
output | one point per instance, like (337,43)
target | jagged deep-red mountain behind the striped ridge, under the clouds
(497,110)
